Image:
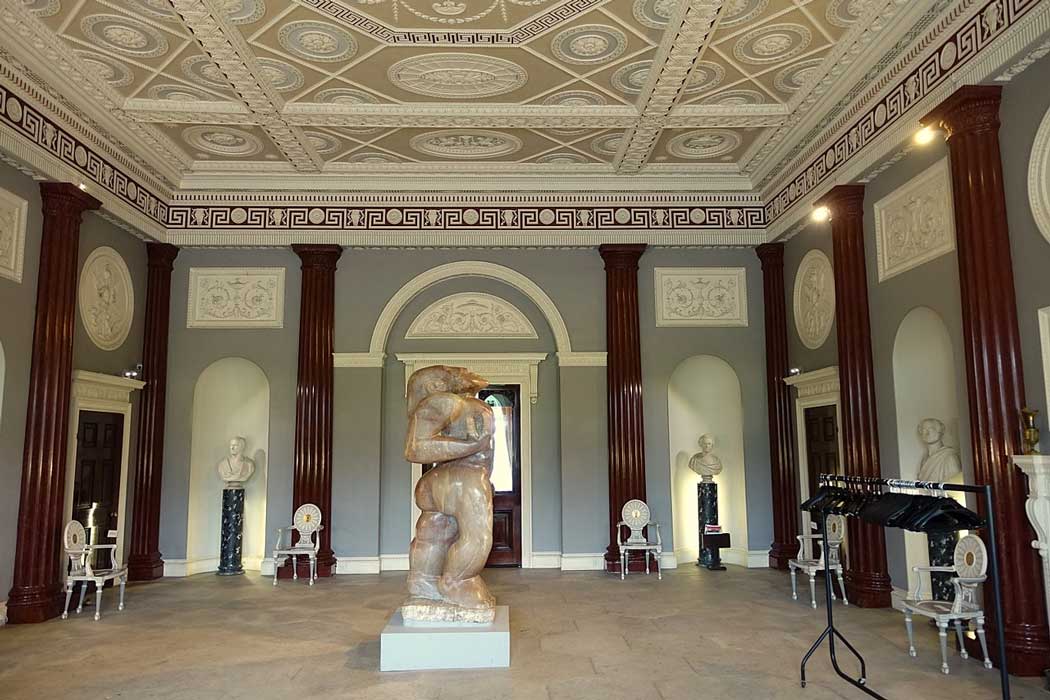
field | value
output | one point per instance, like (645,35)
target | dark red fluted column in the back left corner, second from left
(144,561)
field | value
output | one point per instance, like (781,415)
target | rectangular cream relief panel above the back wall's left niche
(237,299)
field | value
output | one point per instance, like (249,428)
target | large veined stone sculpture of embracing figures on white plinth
(450,428)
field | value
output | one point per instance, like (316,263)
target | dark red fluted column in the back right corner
(785,474)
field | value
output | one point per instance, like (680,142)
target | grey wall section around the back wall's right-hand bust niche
(744,349)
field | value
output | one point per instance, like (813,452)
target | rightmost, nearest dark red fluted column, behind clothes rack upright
(995,383)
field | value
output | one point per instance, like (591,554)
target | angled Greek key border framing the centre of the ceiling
(526,32)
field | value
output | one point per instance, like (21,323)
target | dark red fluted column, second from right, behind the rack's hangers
(868,582)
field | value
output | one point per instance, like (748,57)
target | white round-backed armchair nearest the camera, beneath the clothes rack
(971,566)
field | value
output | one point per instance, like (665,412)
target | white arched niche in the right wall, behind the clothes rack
(925,387)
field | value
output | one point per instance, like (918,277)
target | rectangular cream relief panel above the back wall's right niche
(702,296)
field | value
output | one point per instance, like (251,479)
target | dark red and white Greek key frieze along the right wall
(982,29)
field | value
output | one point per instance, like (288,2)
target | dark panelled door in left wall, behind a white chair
(97,477)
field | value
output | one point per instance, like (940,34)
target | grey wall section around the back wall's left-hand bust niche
(191,351)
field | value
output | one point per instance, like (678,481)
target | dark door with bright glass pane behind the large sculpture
(507,476)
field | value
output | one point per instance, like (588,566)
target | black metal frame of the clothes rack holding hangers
(831,632)
